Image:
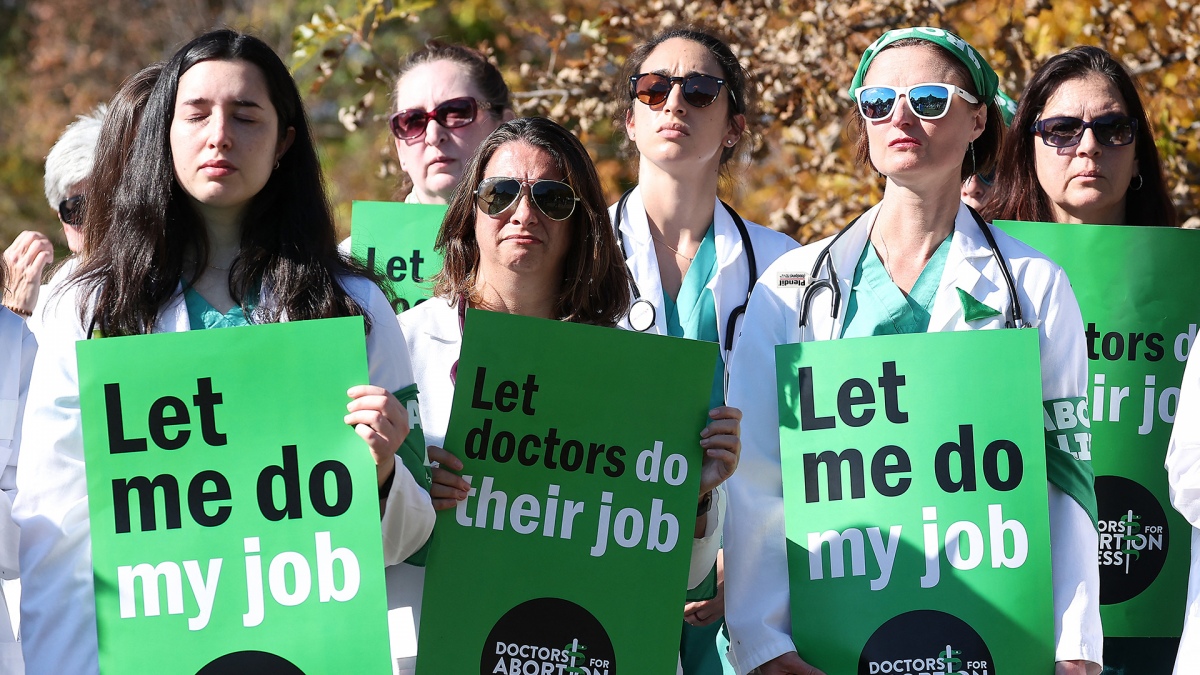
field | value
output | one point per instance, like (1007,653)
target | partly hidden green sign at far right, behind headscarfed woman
(1137,290)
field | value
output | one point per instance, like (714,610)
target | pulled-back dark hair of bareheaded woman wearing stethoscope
(733,73)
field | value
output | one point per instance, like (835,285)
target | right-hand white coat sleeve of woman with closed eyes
(409,512)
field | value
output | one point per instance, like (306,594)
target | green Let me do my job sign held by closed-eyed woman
(235,516)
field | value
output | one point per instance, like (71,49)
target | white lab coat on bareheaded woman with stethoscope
(733,279)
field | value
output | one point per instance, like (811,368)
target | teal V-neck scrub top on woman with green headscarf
(877,304)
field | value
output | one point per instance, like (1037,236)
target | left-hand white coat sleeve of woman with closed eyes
(58,605)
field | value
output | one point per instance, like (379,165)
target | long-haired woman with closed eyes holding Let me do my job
(221,220)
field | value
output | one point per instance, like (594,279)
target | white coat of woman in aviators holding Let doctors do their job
(435,341)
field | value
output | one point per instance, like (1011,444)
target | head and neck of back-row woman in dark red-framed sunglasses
(448,100)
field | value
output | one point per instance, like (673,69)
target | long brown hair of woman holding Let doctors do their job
(596,283)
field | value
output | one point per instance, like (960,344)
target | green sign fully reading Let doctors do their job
(572,553)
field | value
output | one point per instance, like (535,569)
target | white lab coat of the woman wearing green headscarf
(757,593)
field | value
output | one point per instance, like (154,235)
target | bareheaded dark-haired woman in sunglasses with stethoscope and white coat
(694,260)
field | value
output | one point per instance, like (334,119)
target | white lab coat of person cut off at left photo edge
(17,350)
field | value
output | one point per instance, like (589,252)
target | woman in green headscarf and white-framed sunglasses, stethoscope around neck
(899,268)
